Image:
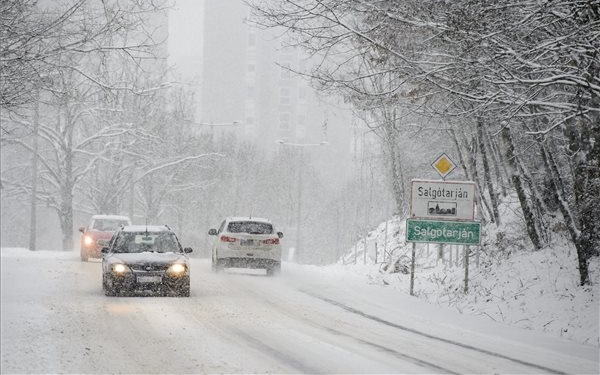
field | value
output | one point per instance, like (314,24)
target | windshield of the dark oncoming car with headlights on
(139,242)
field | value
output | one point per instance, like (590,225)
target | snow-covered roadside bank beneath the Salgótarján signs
(535,290)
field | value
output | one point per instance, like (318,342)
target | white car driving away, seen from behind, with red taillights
(246,242)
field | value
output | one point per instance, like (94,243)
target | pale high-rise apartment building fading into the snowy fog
(244,78)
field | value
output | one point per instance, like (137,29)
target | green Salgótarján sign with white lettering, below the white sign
(440,231)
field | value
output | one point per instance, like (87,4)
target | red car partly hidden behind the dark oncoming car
(98,232)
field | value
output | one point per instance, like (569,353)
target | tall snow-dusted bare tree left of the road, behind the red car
(58,54)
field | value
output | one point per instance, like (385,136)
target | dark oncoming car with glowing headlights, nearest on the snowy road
(145,259)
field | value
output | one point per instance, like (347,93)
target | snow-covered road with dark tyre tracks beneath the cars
(309,320)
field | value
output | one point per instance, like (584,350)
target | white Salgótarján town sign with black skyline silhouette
(448,200)
